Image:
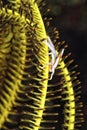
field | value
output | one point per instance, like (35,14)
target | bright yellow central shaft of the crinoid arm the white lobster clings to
(42,56)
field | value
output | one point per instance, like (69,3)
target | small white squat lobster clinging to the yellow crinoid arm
(56,58)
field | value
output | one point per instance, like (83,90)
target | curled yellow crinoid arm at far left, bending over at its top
(12,57)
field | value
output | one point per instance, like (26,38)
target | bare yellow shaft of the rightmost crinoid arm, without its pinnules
(69,107)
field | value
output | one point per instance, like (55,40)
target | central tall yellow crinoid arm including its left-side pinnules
(38,59)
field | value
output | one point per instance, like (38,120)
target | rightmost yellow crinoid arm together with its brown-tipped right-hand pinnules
(71,91)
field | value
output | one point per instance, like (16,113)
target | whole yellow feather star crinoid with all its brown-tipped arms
(28,99)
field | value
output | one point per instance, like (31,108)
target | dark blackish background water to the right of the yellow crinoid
(70,17)
